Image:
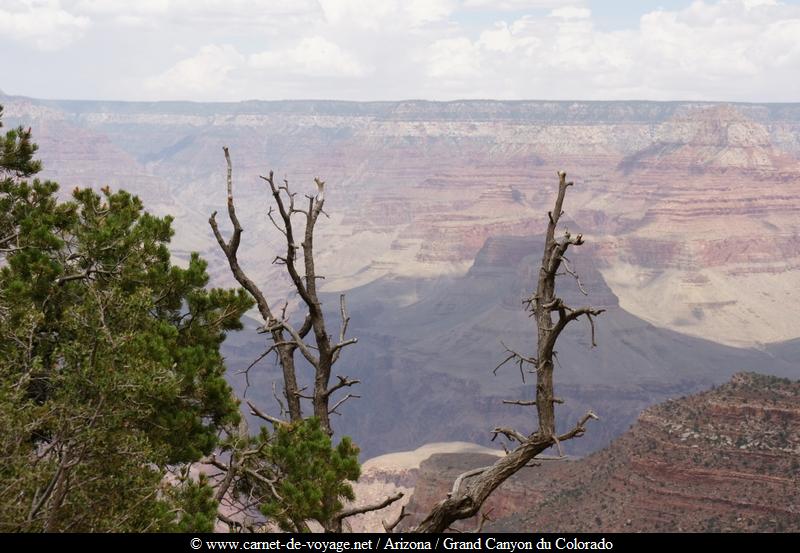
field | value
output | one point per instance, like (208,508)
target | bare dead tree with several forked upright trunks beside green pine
(310,338)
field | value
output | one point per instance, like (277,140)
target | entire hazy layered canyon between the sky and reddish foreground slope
(691,214)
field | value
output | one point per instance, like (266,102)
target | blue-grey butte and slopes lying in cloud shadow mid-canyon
(431,358)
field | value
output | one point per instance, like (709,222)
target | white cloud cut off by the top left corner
(42,23)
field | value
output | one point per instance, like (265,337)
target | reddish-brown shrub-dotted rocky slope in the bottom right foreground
(723,460)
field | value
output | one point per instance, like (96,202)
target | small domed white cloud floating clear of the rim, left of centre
(312,56)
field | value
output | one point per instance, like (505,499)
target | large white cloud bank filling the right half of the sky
(728,50)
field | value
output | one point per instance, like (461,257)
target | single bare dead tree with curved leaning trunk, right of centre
(472,488)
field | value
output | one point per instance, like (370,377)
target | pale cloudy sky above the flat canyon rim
(232,50)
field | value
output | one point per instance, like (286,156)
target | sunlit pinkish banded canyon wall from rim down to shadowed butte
(689,203)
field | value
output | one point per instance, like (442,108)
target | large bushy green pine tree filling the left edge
(110,369)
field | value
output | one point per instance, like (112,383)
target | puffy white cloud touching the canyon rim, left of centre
(208,75)
